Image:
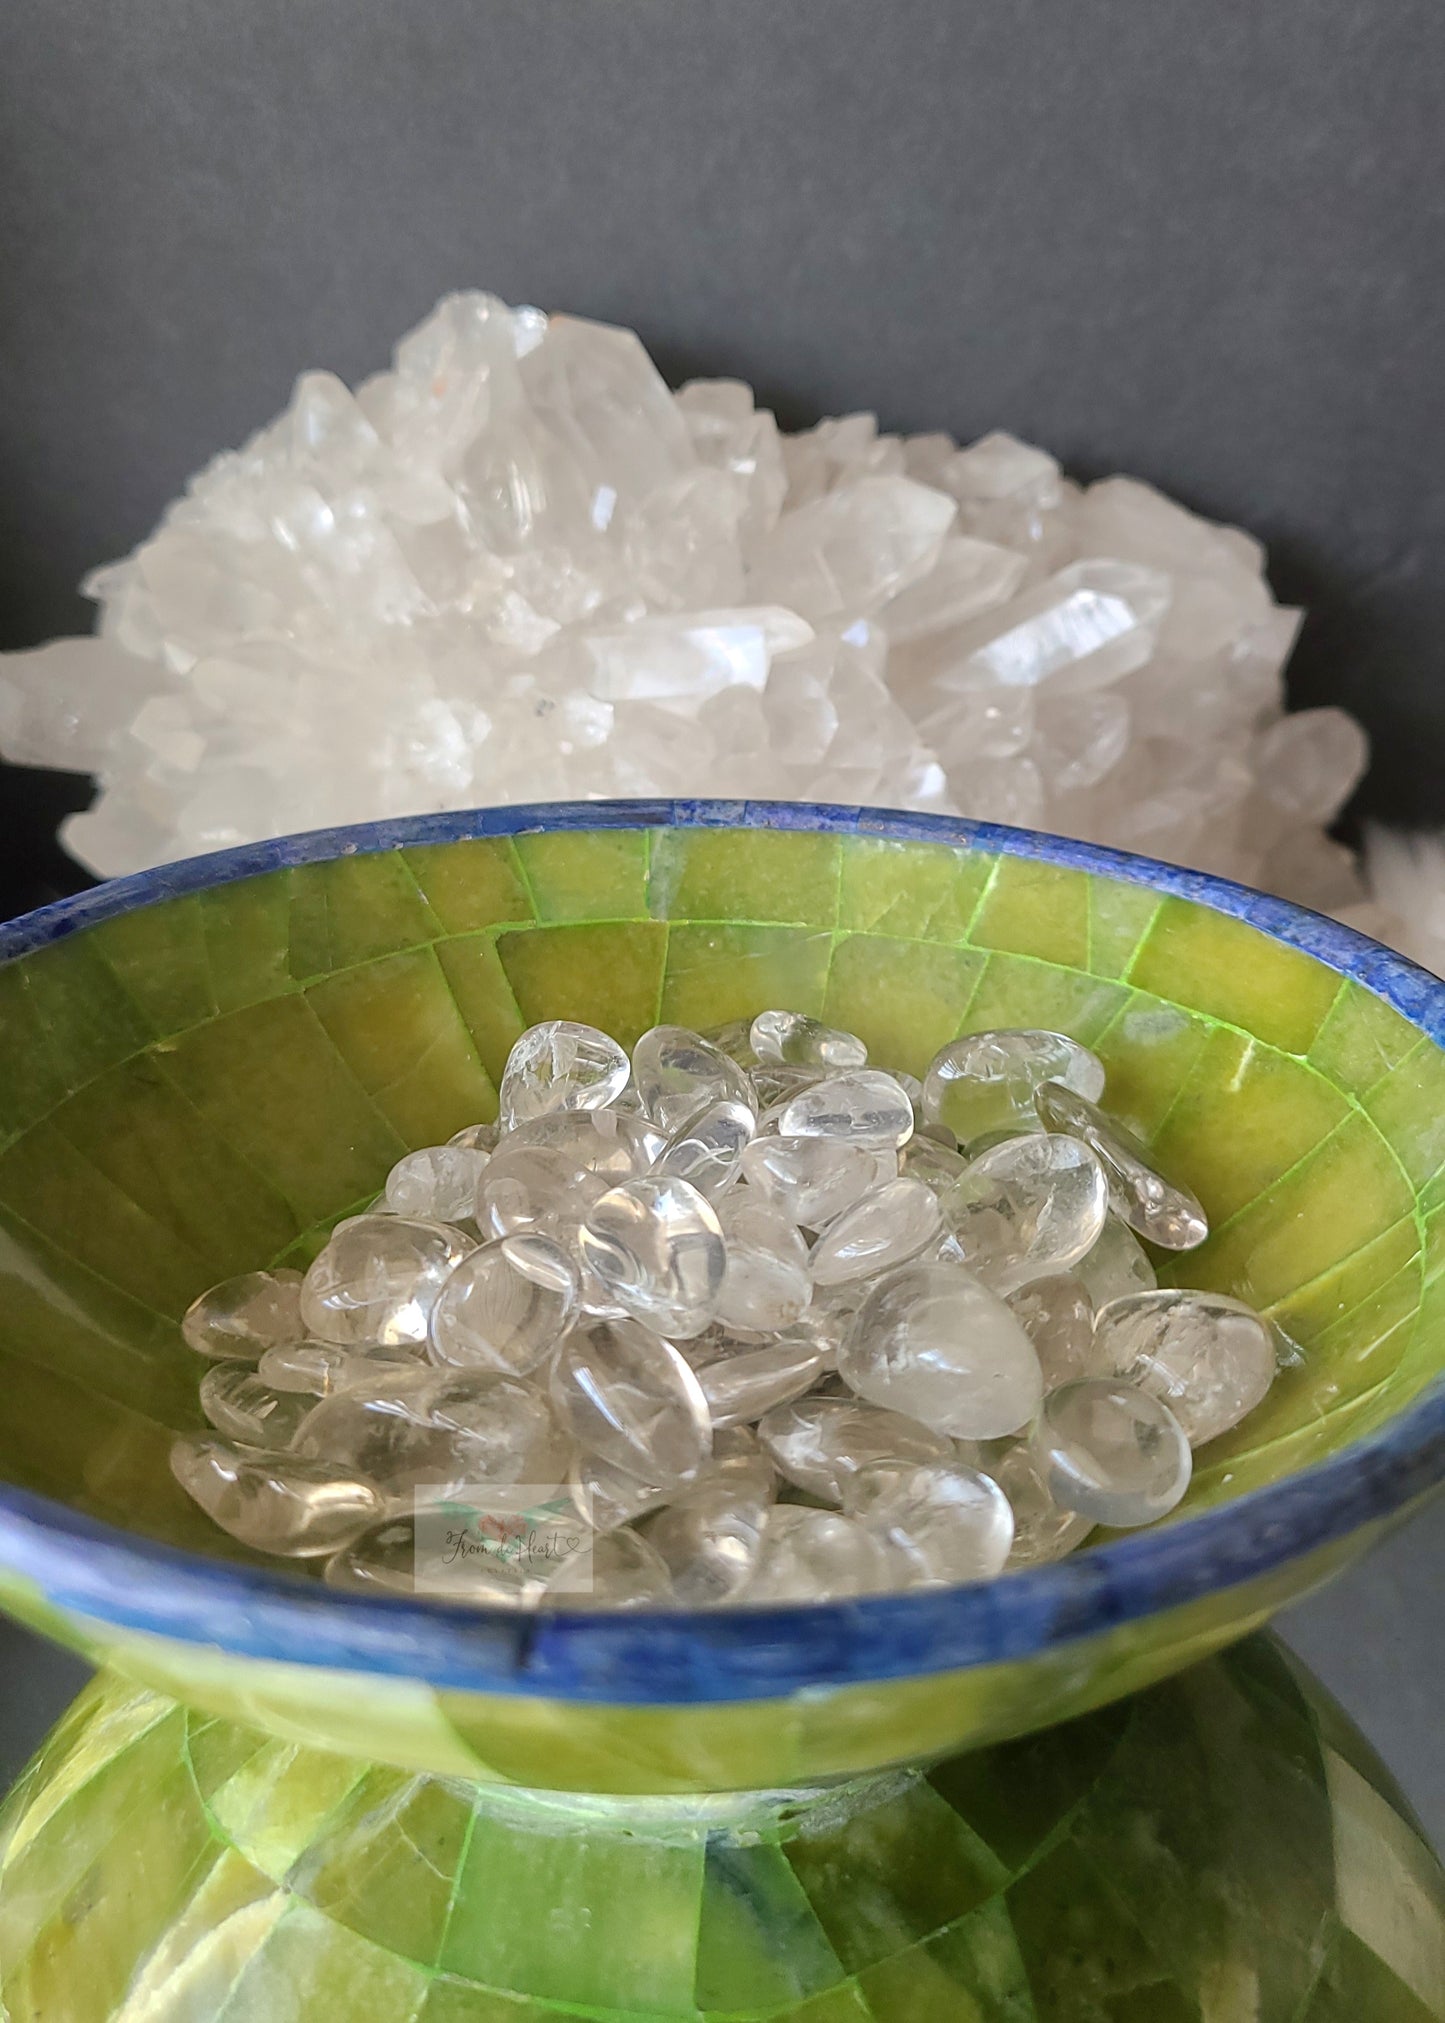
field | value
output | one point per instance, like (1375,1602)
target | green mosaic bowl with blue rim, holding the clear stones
(207,1065)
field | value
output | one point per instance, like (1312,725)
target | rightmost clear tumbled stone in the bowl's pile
(1207,1356)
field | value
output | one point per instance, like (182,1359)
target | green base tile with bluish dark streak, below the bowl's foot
(760,1945)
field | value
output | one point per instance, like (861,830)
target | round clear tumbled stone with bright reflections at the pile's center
(657,1245)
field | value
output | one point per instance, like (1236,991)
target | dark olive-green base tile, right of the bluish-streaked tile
(891,1874)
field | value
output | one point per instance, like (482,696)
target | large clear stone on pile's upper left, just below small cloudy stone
(377,1280)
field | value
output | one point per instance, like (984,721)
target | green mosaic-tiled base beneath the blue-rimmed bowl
(1221,1846)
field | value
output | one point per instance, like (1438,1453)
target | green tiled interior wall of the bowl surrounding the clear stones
(197,1085)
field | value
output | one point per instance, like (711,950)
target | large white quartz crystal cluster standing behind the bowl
(519,567)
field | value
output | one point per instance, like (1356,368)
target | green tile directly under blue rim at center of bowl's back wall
(746,875)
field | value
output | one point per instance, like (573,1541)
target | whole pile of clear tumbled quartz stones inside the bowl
(772,1322)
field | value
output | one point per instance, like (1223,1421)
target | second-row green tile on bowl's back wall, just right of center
(906,998)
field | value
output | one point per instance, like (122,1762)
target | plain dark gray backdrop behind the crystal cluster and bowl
(1195,242)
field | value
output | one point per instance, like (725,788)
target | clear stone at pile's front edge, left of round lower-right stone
(940,1522)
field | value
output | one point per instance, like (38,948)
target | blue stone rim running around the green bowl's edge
(653,1658)
